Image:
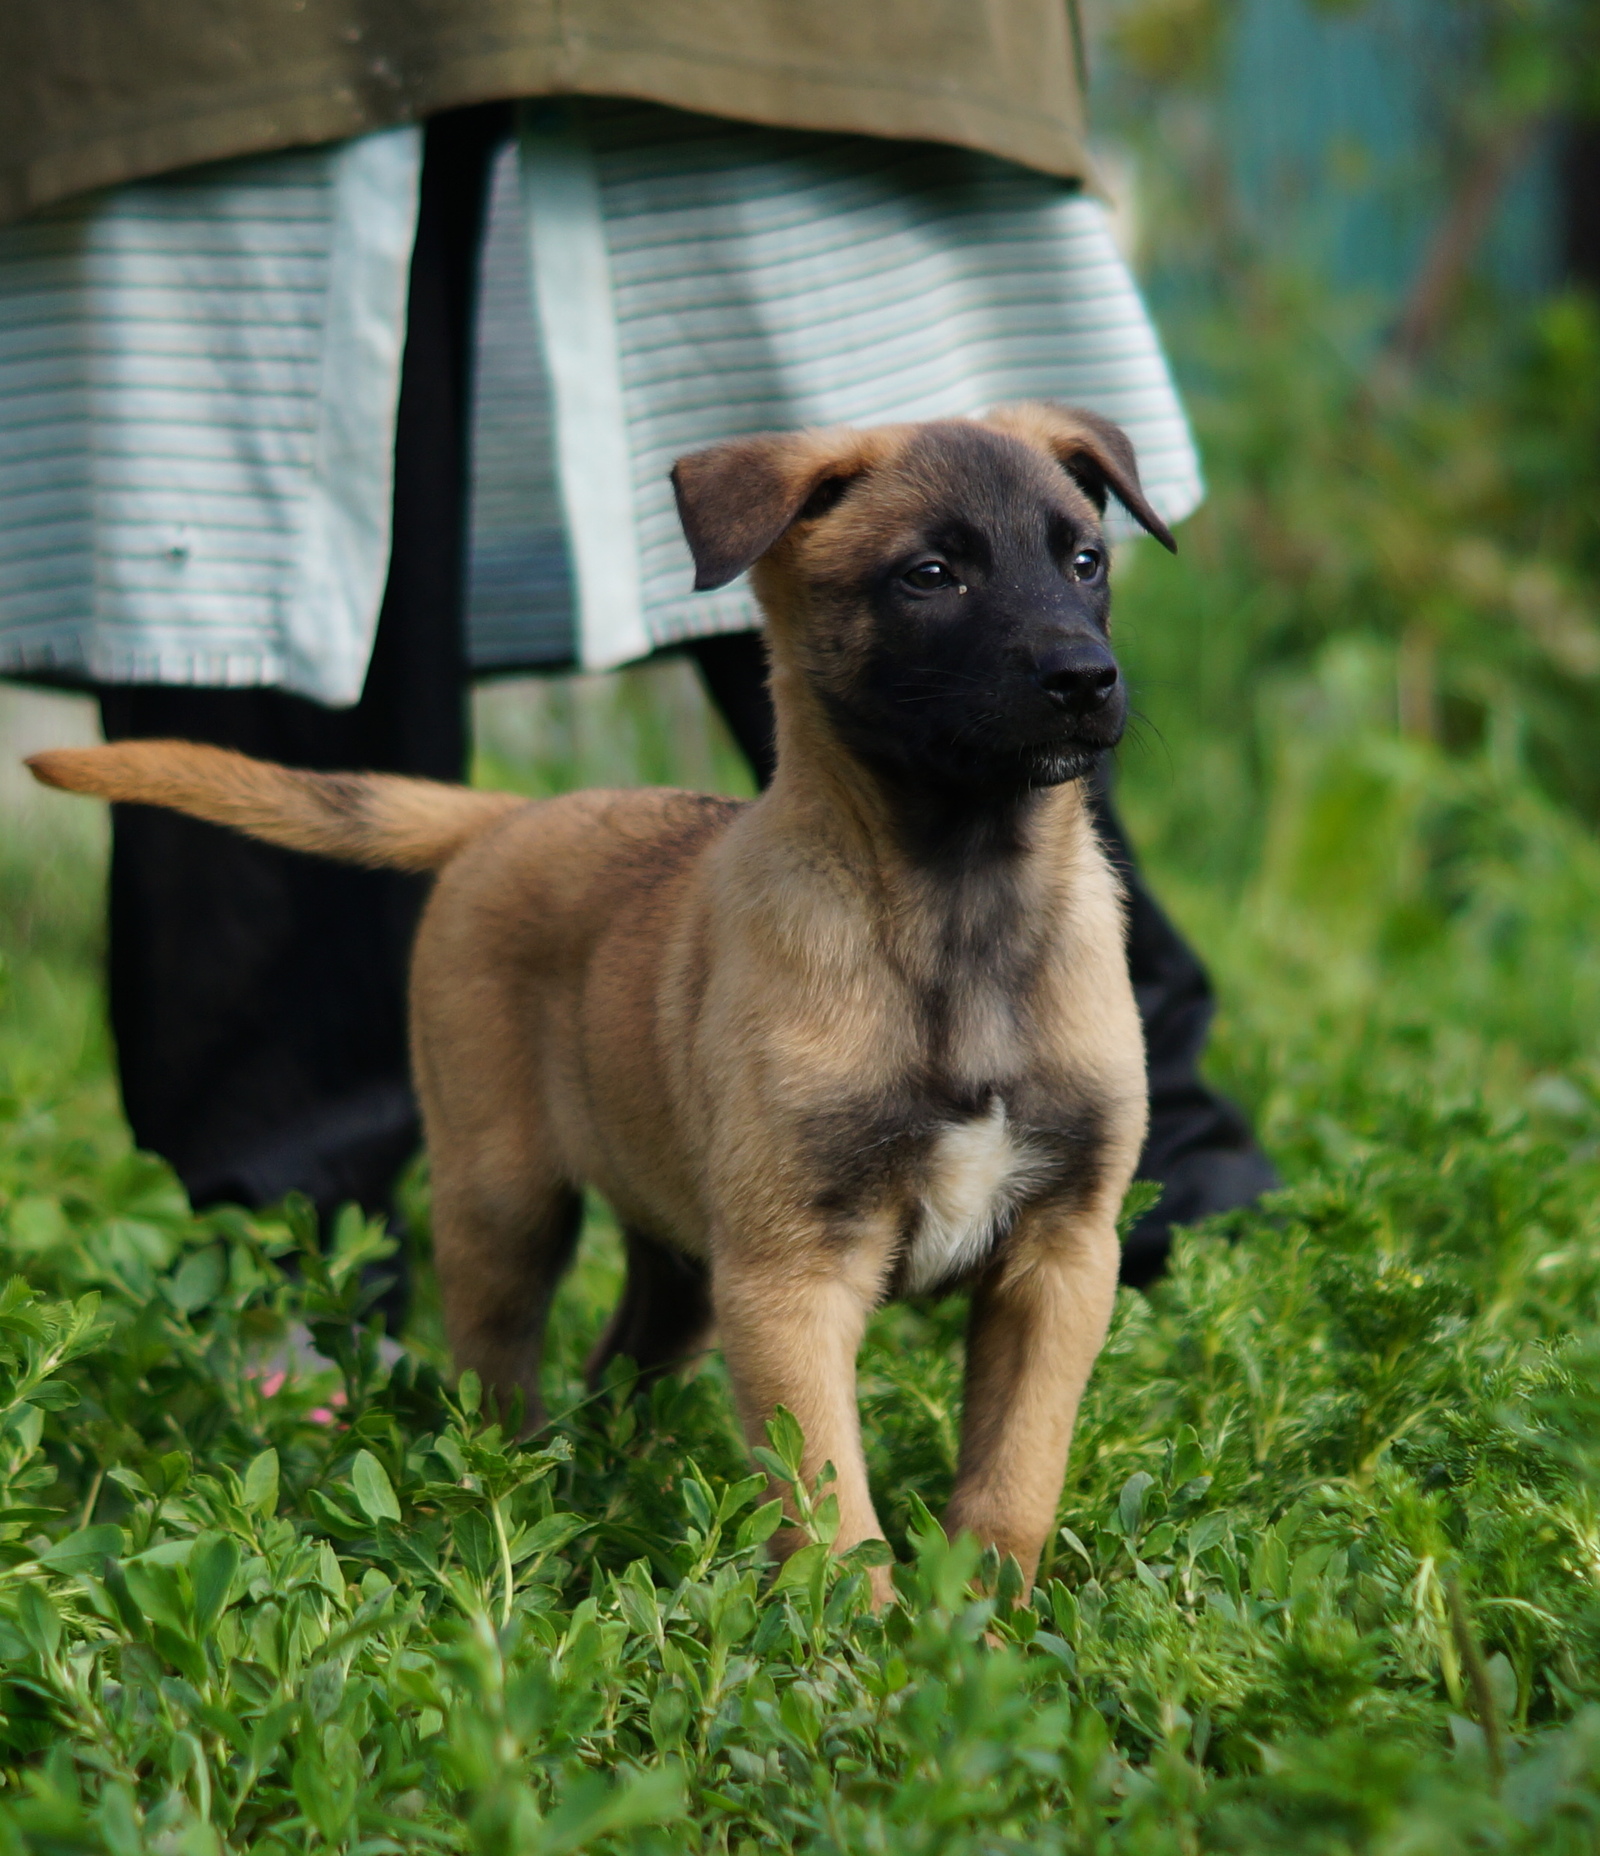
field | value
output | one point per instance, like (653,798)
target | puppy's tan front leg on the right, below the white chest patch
(1037,1326)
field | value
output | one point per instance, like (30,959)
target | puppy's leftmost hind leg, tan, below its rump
(502,1246)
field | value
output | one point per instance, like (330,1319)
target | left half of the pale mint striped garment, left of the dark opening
(198,387)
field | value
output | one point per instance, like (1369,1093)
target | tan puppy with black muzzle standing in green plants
(866,1037)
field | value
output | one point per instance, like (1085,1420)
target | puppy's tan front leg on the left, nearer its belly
(792,1328)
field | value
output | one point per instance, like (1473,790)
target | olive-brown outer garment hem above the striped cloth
(99,92)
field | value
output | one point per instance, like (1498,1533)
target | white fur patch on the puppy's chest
(977,1176)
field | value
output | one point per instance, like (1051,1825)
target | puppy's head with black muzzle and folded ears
(940,587)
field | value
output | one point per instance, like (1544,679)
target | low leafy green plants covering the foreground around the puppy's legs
(1326,1577)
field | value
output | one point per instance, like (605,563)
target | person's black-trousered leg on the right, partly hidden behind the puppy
(1200,1146)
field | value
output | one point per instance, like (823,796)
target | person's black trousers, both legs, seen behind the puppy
(259,996)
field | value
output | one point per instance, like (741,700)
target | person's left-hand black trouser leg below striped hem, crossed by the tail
(257,996)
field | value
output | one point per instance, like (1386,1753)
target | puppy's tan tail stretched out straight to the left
(383,821)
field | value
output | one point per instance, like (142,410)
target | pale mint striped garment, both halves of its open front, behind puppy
(198,380)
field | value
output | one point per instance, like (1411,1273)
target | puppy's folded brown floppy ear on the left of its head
(738,498)
